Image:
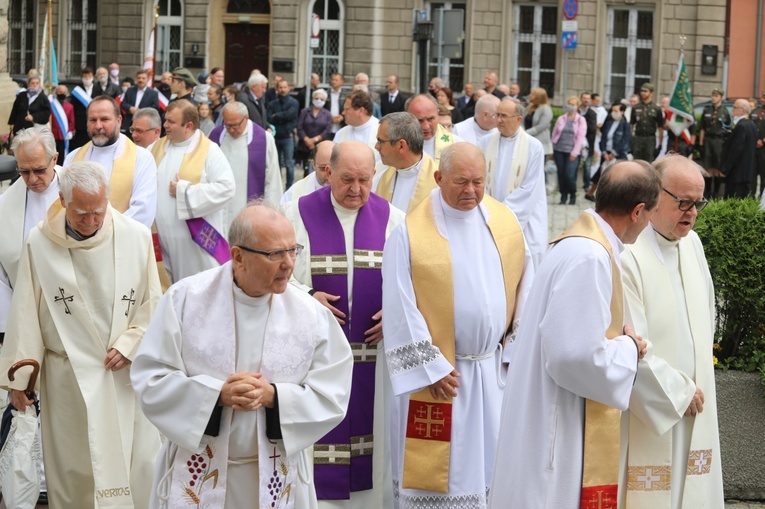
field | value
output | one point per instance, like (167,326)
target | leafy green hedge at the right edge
(733,234)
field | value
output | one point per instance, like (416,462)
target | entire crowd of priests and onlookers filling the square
(392,330)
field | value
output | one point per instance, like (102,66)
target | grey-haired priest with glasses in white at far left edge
(24,204)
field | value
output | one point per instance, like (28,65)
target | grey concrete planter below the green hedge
(741,414)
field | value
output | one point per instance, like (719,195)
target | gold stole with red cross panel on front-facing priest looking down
(426,459)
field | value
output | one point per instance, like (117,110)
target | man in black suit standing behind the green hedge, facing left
(738,163)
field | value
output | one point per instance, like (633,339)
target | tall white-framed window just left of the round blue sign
(536,40)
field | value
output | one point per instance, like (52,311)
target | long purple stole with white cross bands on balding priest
(343,458)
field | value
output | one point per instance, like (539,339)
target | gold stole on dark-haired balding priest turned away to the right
(601,425)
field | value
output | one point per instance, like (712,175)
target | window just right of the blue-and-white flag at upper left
(82,36)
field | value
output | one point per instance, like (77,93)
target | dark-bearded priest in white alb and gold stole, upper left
(130,168)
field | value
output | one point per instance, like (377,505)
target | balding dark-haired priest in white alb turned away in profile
(574,360)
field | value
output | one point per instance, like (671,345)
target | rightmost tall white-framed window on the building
(630,47)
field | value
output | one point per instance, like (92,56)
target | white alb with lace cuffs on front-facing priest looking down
(480,313)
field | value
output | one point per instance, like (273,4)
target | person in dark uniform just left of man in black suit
(713,128)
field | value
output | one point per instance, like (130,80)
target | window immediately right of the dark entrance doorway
(328,57)
